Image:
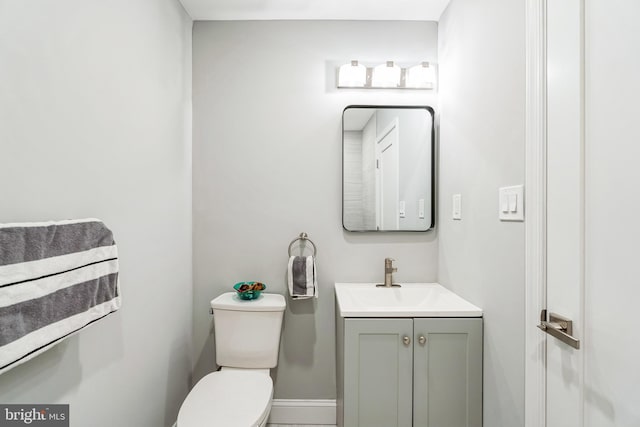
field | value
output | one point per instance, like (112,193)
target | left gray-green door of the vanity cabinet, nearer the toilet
(378,367)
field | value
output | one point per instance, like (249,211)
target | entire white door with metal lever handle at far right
(593,239)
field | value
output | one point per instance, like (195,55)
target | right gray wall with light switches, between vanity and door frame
(482,81)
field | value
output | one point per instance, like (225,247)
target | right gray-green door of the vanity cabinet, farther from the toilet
(447,372)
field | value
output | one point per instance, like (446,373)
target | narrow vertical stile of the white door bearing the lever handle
(565,208)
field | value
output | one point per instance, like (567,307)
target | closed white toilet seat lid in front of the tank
(229,398)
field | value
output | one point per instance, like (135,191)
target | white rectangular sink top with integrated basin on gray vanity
(409,300)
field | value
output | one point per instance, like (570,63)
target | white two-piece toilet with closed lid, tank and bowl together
(247,334)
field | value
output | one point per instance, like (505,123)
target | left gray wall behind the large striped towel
(95,103)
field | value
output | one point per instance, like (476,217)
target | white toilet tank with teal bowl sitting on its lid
(247,332)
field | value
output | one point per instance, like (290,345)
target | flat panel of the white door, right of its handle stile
(612,202)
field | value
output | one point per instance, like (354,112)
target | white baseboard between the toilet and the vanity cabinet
(301,411)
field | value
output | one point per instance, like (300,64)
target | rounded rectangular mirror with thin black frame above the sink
(387,168)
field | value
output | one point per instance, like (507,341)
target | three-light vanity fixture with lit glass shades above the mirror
(389,75)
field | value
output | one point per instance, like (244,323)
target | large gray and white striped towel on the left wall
(55,279)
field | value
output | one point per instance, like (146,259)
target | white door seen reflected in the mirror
(389,180)
